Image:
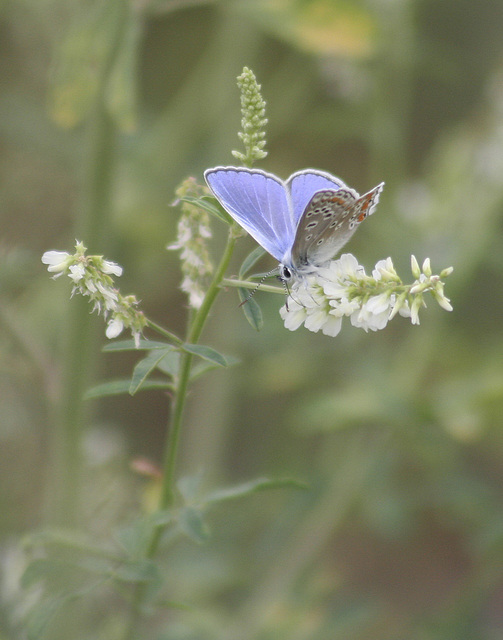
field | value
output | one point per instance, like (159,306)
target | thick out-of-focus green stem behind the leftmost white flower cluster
(66,466)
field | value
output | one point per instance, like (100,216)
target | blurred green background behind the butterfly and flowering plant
(398,434)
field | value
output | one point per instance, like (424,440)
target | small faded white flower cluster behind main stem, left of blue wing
(192,232)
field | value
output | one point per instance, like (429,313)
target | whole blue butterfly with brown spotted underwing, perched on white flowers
(302,222)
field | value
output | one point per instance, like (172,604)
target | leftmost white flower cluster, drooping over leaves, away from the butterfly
(91,276)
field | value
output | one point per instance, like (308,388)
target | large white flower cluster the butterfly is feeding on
(320,301)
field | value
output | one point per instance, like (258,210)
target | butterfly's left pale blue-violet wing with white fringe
(258,202)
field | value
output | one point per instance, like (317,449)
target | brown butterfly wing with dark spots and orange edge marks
(329,220)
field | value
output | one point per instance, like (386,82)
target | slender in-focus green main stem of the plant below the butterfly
(168,493)
